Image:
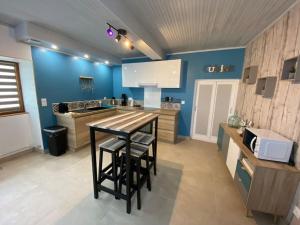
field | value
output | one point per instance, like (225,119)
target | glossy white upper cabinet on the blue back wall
(160,74)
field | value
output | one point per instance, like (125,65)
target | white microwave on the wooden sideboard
(268,145)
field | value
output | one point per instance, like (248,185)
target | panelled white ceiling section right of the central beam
(187,25)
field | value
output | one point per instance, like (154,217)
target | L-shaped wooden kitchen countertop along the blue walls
(170,112)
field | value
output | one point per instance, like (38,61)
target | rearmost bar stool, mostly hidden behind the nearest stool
(146,140)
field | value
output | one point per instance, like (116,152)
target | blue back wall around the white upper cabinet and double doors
(193,68)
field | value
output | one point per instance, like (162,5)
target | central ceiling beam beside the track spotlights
(142,39)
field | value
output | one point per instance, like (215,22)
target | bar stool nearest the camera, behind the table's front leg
(137,153)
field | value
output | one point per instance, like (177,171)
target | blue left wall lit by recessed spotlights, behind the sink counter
(57,80)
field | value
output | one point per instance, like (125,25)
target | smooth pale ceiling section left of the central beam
(84,21)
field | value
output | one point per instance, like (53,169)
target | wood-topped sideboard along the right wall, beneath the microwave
(265,186)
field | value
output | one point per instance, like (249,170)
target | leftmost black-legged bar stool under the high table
(112,146)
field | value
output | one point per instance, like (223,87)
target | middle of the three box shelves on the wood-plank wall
(266,86)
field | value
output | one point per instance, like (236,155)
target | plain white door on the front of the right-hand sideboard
(233,155)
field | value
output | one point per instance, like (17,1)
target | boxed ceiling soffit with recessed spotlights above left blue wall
(39,36)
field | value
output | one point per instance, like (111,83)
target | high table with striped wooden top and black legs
(123,125)
